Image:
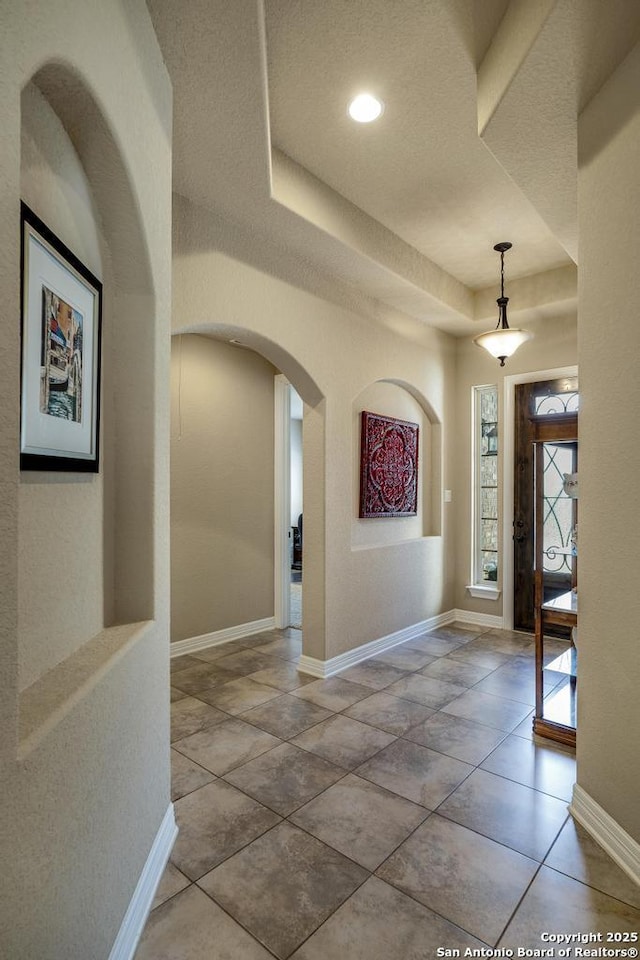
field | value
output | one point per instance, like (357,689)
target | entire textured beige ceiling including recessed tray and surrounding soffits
(406,211)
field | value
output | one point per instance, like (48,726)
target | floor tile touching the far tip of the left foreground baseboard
(215,822)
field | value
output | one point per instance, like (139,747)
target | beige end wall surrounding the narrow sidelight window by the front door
(554,346)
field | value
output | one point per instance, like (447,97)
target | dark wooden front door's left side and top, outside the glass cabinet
(533,401)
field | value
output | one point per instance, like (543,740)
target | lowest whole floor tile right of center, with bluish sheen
(469,879)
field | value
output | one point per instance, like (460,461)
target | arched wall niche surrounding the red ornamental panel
(397,398)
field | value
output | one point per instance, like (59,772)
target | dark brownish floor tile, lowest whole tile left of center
(283,868)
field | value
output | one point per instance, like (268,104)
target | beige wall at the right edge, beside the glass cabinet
(609,352)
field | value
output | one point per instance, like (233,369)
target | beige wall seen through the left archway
(222,500)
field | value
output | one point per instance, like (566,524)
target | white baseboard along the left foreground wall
(139,907)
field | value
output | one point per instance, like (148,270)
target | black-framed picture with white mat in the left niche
(61,320)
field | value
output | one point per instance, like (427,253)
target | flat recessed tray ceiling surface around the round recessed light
(421,170)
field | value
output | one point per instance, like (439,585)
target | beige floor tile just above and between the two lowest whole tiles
(360,819)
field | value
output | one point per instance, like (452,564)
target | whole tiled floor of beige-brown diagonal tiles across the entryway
(400,807)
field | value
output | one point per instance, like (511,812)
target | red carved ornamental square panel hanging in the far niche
(388,467)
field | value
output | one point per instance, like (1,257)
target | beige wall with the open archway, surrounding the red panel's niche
(350,596)
